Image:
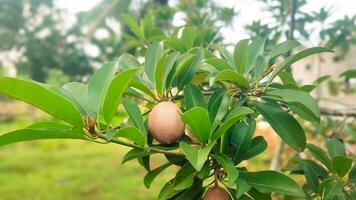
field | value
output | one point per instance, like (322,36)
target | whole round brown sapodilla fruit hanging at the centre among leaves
(164,122)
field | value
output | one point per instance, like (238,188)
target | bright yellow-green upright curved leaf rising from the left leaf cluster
(116,89)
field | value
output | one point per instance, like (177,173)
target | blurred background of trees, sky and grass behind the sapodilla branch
(56,41)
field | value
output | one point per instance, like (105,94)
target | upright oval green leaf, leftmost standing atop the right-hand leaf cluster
(240,55)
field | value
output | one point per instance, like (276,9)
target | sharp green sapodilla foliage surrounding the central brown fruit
(220,93)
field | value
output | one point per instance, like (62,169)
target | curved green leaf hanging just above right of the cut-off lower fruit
(231,171)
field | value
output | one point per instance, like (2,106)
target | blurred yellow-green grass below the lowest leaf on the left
(73,170)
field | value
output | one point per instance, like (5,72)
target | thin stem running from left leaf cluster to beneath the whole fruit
(149,149)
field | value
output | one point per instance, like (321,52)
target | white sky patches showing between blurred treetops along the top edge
(249,10)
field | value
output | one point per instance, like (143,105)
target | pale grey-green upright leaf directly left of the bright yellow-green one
(98,86)
